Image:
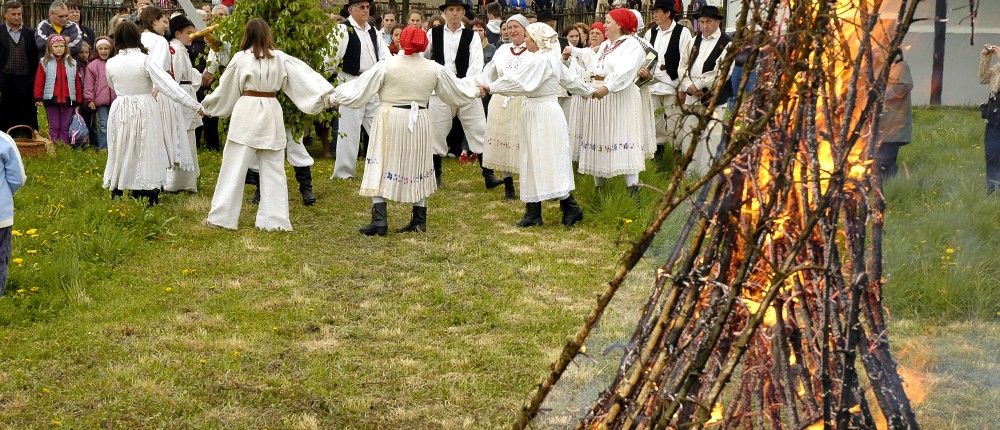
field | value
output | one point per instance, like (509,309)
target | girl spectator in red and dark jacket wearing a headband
(58,87)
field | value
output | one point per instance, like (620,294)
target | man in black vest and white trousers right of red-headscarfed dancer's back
(459,50)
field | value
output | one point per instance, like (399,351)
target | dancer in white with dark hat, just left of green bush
(188,78)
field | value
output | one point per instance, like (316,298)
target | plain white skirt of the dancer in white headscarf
(546,165)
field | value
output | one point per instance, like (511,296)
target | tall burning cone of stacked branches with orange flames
(773,292)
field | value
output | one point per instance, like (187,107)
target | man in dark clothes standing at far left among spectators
(18,64)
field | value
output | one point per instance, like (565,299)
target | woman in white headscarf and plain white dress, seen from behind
(546,166)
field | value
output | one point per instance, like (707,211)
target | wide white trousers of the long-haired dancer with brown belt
(272,212)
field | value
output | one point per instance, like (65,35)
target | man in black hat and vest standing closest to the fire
(701,61)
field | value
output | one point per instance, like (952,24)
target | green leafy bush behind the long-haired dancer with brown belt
(301,29)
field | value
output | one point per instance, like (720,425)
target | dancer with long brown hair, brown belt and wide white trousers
(247,91)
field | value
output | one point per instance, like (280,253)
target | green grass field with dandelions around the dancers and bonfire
(118,316)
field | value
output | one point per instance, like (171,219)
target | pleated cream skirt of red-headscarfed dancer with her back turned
(399,164)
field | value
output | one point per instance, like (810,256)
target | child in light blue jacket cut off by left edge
(12,172)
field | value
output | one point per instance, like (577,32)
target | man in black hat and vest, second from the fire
(667,38)
